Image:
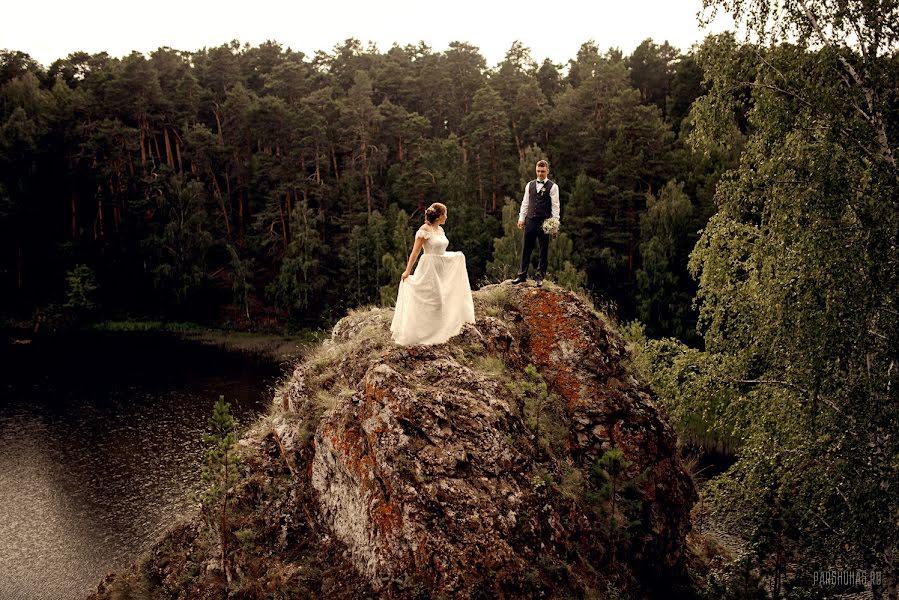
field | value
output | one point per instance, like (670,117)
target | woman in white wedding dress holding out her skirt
(434,304)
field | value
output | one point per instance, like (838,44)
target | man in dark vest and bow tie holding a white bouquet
(540,202)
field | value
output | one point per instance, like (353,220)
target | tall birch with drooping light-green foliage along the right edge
(798,276)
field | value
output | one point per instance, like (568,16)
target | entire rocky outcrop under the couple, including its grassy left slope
(521,459)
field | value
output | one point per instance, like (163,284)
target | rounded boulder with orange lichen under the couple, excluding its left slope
(427,469)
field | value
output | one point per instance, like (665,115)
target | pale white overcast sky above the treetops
(552,29)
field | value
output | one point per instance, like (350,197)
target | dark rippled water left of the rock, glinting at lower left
(100,449)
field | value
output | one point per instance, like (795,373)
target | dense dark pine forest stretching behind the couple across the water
(250,175)
